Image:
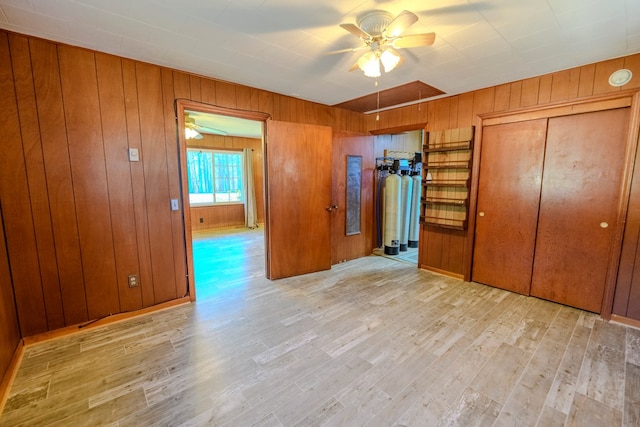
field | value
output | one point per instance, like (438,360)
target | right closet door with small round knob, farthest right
(578,208)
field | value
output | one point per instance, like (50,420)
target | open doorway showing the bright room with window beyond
(223,195)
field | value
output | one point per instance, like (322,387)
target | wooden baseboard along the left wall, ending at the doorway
(114,318)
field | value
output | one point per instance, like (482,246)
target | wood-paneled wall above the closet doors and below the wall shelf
(443,249)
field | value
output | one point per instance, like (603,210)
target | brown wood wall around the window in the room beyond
(230,215)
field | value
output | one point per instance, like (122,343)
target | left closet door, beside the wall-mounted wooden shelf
(511,164)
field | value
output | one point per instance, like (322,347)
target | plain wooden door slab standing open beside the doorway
(298,182)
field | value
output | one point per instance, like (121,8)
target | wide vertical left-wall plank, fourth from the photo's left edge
(89,174)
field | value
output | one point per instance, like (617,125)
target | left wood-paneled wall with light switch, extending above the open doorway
(79,217)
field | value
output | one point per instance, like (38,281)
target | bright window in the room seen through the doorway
(215,177)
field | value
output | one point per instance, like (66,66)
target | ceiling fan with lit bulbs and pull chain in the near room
(382,35)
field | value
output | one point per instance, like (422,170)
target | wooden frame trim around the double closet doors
(620,99)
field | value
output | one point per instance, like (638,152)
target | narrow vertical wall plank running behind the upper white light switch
(131,106)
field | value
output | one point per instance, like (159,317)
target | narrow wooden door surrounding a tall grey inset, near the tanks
(346,247)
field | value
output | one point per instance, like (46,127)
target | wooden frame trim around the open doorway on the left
(179,107)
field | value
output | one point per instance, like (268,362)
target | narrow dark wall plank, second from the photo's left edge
(34,160)
